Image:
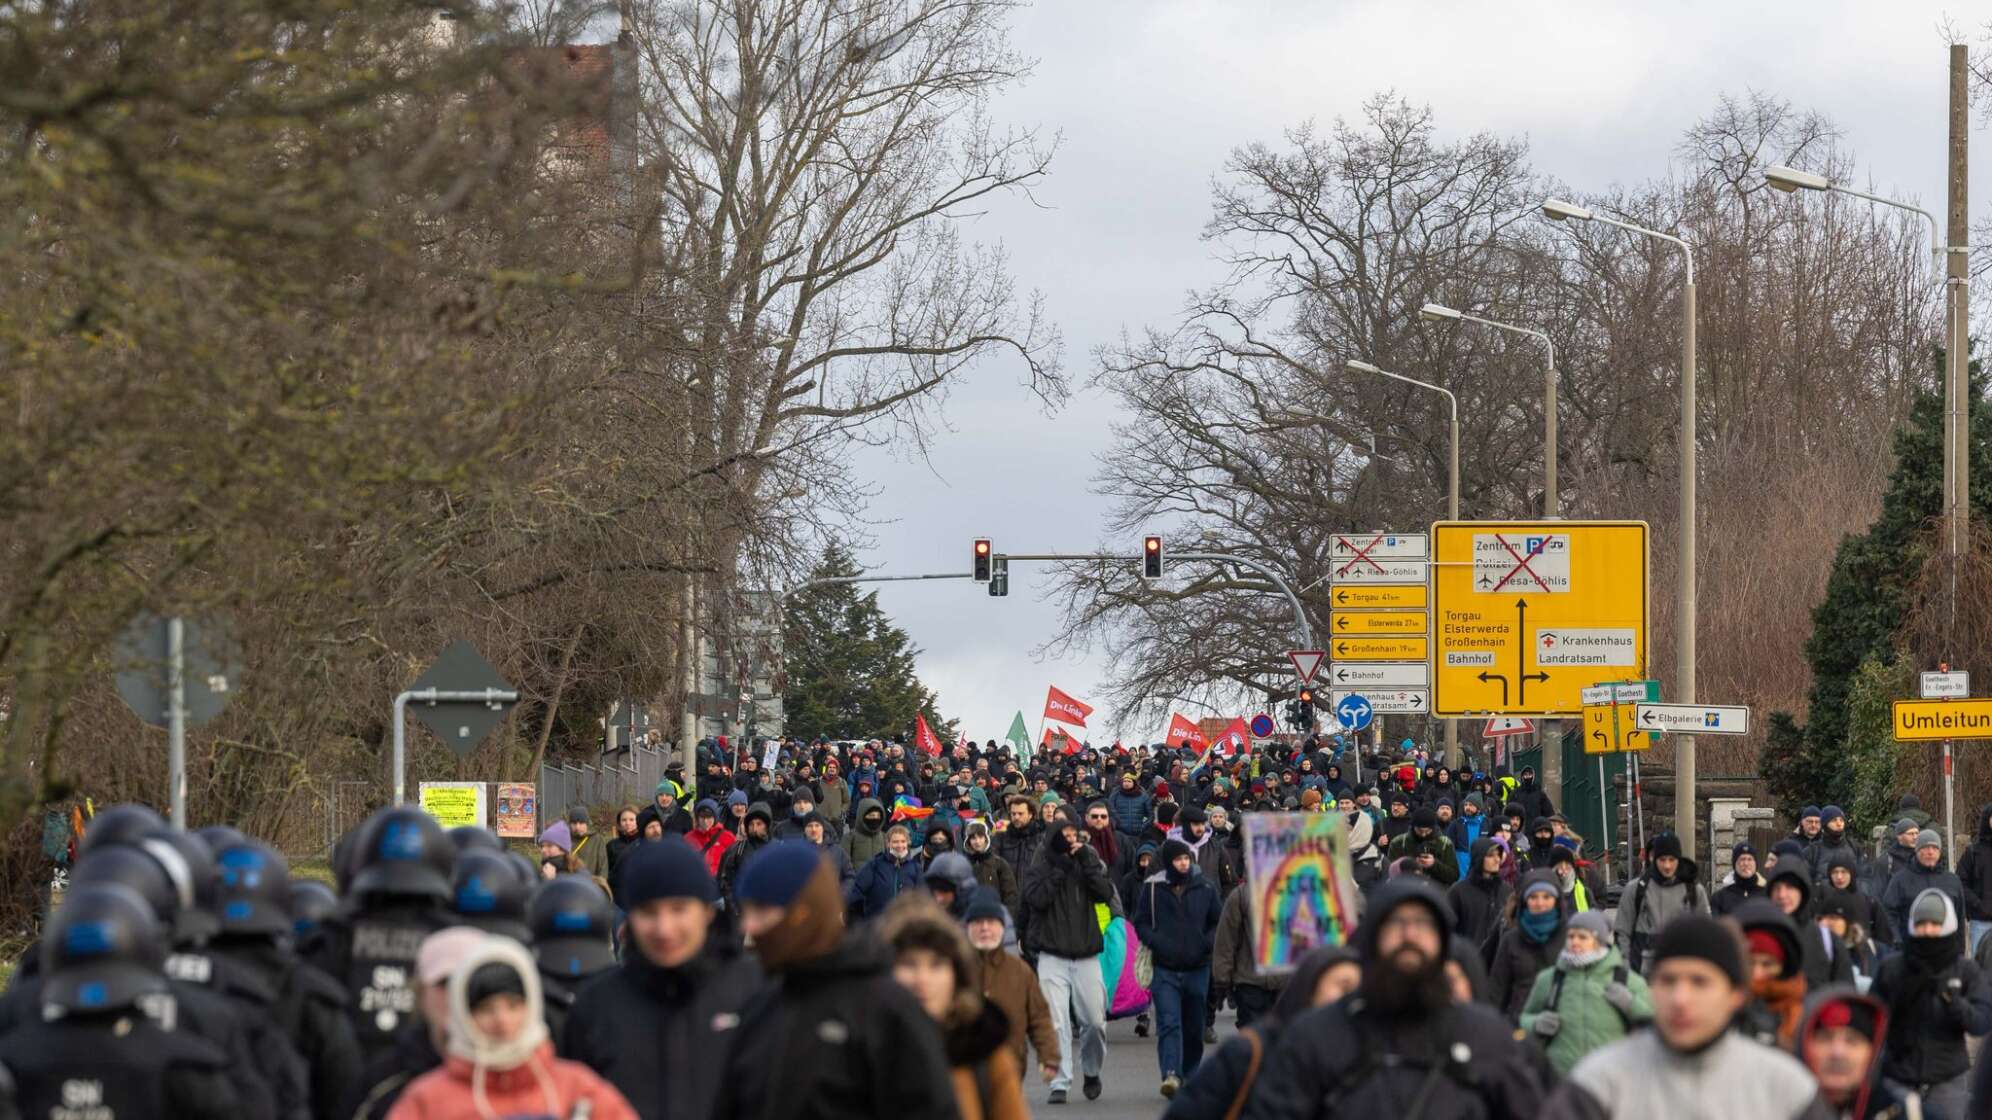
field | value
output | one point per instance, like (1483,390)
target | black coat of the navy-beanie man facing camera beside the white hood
(654,1033)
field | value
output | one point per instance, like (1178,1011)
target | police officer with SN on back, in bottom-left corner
(99,1053)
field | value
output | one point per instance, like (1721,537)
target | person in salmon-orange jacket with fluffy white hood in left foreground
(499,1061)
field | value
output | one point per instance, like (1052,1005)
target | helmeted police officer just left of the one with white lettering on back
(254,910)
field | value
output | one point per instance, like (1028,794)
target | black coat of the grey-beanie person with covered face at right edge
(1929,1021)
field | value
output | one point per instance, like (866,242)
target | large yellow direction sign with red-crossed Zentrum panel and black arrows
(1527,615)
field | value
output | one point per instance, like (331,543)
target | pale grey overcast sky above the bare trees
(1154,95)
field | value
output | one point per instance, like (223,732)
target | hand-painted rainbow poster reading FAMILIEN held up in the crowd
(1300,886)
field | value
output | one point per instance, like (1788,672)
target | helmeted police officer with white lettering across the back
(401,882)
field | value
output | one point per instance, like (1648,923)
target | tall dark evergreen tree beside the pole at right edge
(1866,605)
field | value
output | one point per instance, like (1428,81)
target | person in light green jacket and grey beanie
(1589,999)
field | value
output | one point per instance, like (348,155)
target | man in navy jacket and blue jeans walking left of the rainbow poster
(1176,916)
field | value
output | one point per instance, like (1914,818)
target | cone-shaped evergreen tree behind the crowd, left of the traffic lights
(850,671)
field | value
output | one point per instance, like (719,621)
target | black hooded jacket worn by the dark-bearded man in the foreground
(1350,1059)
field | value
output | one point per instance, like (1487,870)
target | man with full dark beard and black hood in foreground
(1401,1043)
